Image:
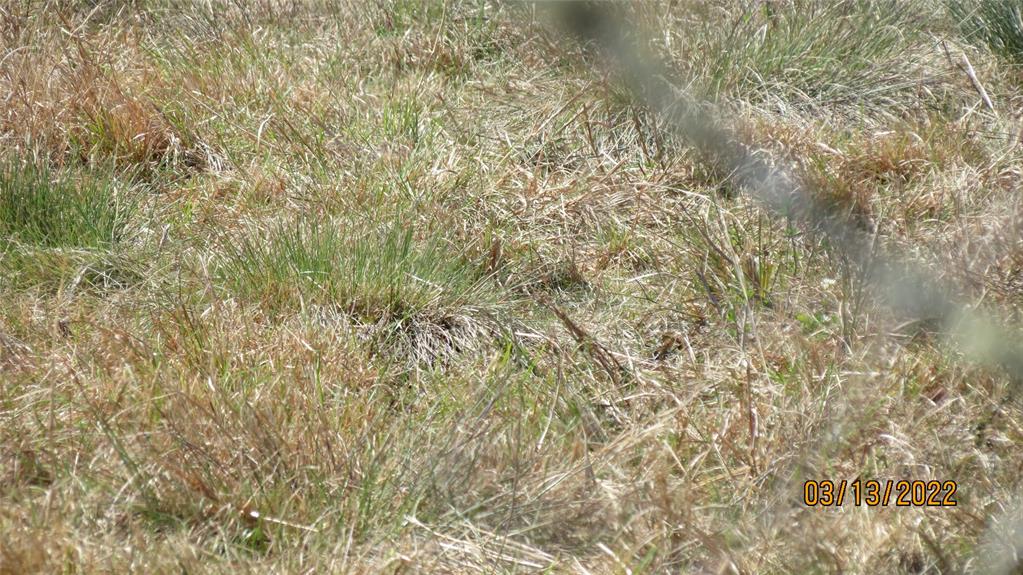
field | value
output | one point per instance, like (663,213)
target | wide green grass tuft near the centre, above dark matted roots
(371,274)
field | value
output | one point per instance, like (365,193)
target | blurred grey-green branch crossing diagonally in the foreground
(905,286)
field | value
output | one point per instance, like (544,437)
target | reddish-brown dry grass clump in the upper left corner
(82,101)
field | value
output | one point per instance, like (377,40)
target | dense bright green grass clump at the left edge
(50,210)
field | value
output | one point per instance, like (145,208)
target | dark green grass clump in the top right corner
(996,24)
